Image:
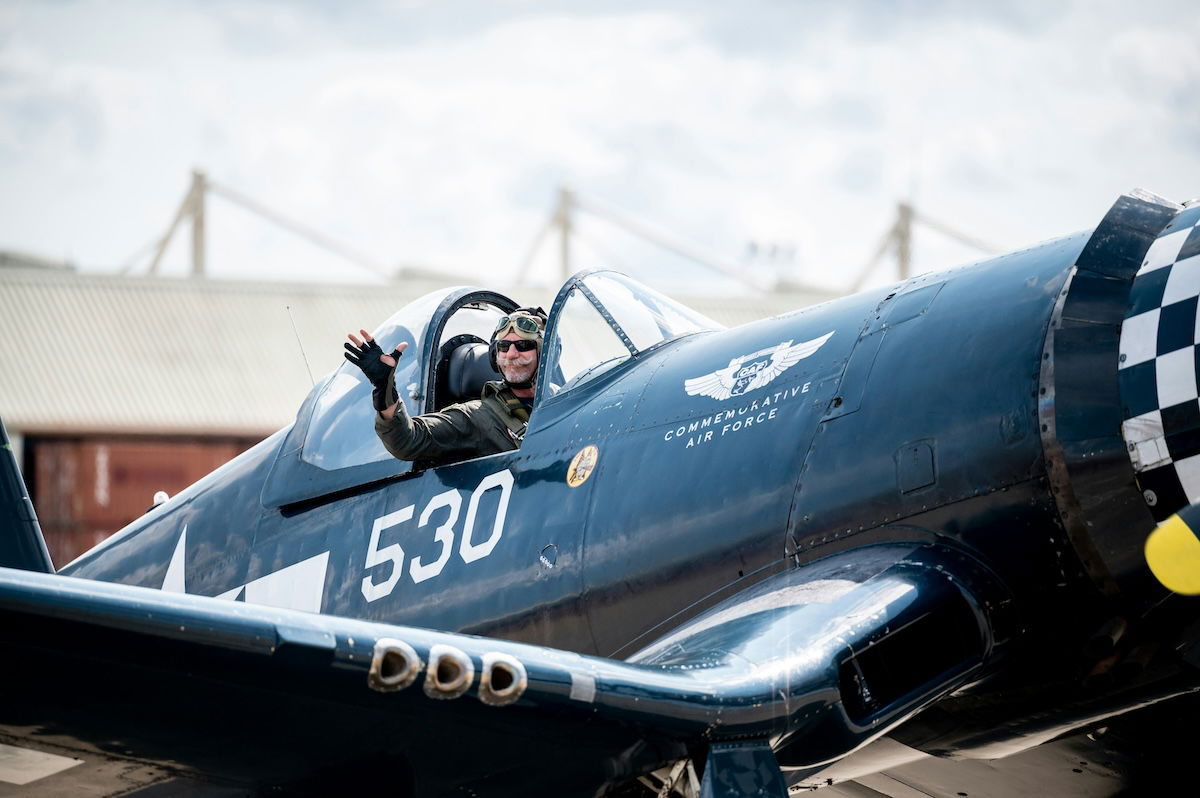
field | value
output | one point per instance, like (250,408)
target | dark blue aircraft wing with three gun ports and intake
(220,695)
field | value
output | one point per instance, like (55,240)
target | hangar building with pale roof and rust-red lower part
(113,388)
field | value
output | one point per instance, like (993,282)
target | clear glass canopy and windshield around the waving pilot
(601,321)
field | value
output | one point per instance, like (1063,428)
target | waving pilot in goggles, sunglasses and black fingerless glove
(491,424)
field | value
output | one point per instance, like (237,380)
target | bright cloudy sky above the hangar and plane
(437,134)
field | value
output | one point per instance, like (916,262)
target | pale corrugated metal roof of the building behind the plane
(88,353)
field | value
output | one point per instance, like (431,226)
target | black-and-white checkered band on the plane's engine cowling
(1160,363)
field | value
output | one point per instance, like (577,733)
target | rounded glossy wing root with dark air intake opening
(887,629)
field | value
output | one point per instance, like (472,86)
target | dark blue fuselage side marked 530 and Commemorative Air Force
(915,419)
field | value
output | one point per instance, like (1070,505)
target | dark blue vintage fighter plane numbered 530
(887,545)
